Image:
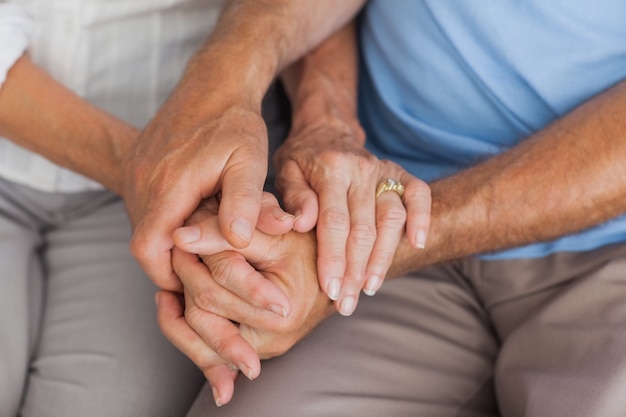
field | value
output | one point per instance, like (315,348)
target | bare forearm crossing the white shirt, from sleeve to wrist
(40,114)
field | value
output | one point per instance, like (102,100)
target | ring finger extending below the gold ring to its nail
(390,225)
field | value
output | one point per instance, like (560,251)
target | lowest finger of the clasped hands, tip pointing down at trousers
(170,316)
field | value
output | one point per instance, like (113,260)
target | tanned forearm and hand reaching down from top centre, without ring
(211,129)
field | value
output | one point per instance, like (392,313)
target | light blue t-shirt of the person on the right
(445,84)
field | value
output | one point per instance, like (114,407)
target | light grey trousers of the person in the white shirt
(78,334)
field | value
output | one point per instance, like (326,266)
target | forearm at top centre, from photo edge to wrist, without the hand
(254,41)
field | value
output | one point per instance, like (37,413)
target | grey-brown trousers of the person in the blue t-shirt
(543,337)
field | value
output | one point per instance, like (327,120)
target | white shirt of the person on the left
(124,56)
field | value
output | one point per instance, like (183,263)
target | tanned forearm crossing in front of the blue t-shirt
(567,177)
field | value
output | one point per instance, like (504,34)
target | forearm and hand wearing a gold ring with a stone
(324,170)
